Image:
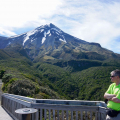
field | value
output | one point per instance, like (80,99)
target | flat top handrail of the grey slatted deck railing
(58,101)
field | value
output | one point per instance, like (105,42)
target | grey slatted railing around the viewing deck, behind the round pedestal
(54,109)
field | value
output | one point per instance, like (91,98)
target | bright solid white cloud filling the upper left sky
(16,13)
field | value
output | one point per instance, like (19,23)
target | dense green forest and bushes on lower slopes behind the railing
(81,79)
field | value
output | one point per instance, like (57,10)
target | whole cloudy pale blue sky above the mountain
(90,20)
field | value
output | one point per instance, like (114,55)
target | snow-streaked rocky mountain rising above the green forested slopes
(49,42)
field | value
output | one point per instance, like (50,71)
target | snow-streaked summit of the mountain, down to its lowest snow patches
(40,34)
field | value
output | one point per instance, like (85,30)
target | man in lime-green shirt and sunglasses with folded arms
(113,95)
